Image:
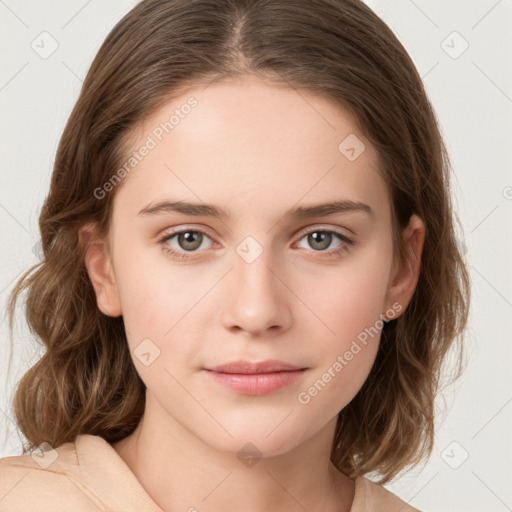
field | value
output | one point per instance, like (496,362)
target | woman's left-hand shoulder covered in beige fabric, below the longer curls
(40,481)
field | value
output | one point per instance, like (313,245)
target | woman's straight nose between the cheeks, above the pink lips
(257,296)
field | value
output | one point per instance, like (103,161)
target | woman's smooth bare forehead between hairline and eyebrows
(252,148)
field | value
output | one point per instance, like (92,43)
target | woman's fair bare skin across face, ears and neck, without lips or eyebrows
(255,150)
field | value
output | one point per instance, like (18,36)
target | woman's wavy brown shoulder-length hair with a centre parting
(86,382)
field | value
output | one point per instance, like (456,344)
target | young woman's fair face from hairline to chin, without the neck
(258,281)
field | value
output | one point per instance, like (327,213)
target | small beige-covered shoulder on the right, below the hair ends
(372,497)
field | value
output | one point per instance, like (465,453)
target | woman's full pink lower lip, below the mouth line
(256,384)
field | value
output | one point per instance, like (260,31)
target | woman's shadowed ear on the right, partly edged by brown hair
(405,273)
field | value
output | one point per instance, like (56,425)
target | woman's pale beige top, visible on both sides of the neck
(88,475)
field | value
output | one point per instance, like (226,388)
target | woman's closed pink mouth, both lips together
(255,378)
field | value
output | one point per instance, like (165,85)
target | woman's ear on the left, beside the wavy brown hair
(98,263)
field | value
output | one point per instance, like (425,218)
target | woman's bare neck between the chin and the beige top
(180,472)
